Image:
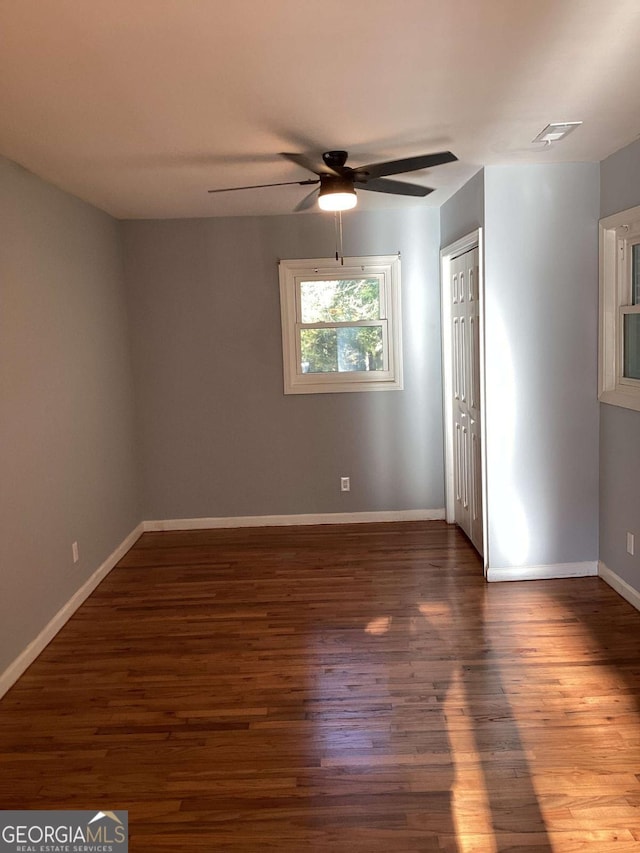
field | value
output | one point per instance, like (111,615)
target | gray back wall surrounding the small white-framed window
(218,436)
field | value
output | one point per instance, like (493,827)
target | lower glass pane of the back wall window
(341,350)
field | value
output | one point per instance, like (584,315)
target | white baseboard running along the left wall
(13,672)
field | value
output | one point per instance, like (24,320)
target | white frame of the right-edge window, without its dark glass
(617,234)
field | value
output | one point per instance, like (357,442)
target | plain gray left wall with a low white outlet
(67,460)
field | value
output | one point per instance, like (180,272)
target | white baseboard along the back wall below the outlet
(286,520)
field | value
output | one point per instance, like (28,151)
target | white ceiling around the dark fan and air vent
(140,106)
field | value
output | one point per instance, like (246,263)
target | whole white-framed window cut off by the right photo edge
(619,345)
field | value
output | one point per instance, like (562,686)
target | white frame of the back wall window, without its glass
(387,269)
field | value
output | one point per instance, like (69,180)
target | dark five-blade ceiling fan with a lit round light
(338,182)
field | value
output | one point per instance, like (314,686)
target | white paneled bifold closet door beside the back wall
(465,341)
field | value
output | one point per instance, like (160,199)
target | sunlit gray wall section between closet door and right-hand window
(541,287)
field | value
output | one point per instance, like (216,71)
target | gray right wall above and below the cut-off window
(620,428)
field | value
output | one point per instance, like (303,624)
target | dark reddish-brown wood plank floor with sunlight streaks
(337,688)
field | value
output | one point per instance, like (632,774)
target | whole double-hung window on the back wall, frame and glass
(341,324)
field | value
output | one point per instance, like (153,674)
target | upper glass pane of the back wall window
(340,300)
